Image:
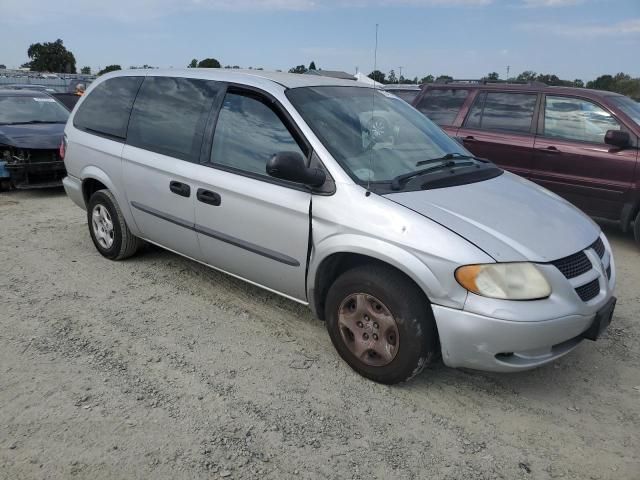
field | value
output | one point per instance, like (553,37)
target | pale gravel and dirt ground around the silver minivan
(158,367)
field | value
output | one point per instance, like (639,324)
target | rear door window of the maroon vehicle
(511,112)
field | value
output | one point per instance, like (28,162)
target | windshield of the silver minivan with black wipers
(379,139)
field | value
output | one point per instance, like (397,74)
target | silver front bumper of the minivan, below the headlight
(483,343)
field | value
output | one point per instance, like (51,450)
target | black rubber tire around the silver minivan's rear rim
(125,244)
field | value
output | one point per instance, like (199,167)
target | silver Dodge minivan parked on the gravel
(406,244)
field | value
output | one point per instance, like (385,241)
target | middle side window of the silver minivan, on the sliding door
(170,114)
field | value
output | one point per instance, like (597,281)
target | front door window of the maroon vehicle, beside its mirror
(576,119)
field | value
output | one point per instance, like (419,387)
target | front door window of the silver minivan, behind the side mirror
(248,134)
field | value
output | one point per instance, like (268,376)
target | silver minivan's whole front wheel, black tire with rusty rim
(381,324)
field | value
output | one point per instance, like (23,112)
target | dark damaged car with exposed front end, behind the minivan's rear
(31,131)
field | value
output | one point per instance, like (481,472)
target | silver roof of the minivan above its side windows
(287,80)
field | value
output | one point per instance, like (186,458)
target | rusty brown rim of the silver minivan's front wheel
(368,329)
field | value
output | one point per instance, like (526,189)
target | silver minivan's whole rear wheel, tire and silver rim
(109,232)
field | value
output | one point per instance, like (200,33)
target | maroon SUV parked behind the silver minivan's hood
(581,144)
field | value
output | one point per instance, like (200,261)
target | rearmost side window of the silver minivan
(107,108)
